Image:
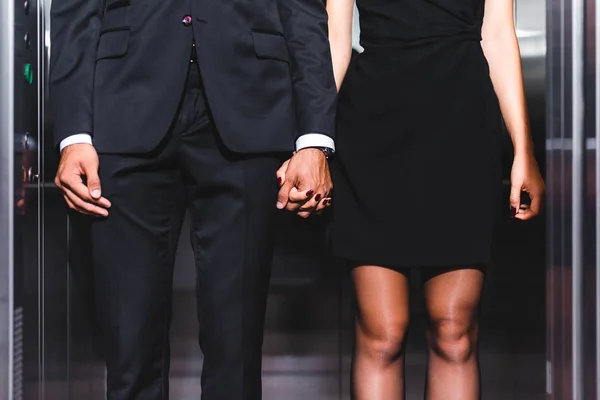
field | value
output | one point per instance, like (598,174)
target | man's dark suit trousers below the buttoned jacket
(232,201)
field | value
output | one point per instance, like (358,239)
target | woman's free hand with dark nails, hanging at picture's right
(526,177)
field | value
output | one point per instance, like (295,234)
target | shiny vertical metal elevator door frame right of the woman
(573,202)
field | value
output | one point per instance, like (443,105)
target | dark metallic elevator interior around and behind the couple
(529,330)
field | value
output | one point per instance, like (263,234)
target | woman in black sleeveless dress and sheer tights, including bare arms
(417,180)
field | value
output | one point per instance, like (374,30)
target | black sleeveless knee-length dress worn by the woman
(417,172)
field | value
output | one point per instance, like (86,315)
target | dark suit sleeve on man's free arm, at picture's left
(74,33)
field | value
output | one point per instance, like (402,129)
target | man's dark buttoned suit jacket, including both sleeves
(118,70)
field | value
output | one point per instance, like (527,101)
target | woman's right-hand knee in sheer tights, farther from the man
(452,340)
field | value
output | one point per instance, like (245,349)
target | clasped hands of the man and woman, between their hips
(305,183)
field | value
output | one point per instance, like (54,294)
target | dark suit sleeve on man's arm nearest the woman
(305,29)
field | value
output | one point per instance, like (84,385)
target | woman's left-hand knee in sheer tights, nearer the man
(383,344)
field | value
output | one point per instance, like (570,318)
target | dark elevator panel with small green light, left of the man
(24,190)
